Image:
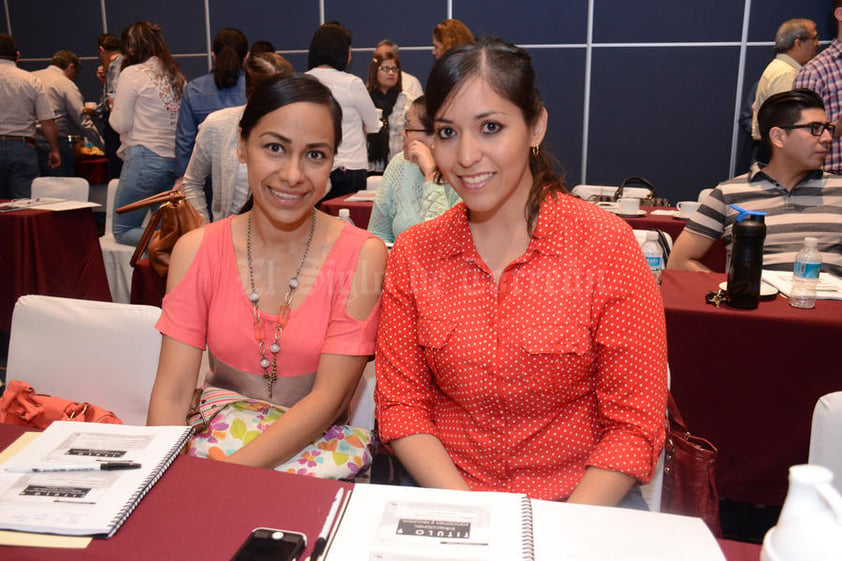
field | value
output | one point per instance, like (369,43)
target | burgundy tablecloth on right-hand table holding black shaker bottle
(748,380)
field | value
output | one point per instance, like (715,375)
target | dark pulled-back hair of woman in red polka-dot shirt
(508,70)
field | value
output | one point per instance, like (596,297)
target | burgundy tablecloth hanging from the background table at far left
(51,253)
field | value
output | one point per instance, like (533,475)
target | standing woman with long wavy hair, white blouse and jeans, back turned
(144,114)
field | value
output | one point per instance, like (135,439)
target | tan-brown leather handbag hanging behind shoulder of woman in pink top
(176,217)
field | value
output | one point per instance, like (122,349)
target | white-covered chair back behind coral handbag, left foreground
(100,352)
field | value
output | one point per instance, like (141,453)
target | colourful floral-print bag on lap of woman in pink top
(224,421)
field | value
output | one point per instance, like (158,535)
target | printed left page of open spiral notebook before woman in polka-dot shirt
(391,523)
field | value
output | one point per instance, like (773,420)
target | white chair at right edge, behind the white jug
(826,436)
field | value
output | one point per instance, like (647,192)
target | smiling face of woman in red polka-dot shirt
(482,145)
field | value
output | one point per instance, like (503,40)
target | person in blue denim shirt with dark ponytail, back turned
(224,87)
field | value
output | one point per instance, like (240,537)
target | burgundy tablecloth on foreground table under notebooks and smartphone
(201,510)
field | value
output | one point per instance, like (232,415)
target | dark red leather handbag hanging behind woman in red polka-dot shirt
(689,473)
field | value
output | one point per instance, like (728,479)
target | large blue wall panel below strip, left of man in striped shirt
(664,114)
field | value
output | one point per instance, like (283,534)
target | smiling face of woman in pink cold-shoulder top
(289,154)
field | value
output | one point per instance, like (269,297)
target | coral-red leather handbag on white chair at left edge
(20,405)
